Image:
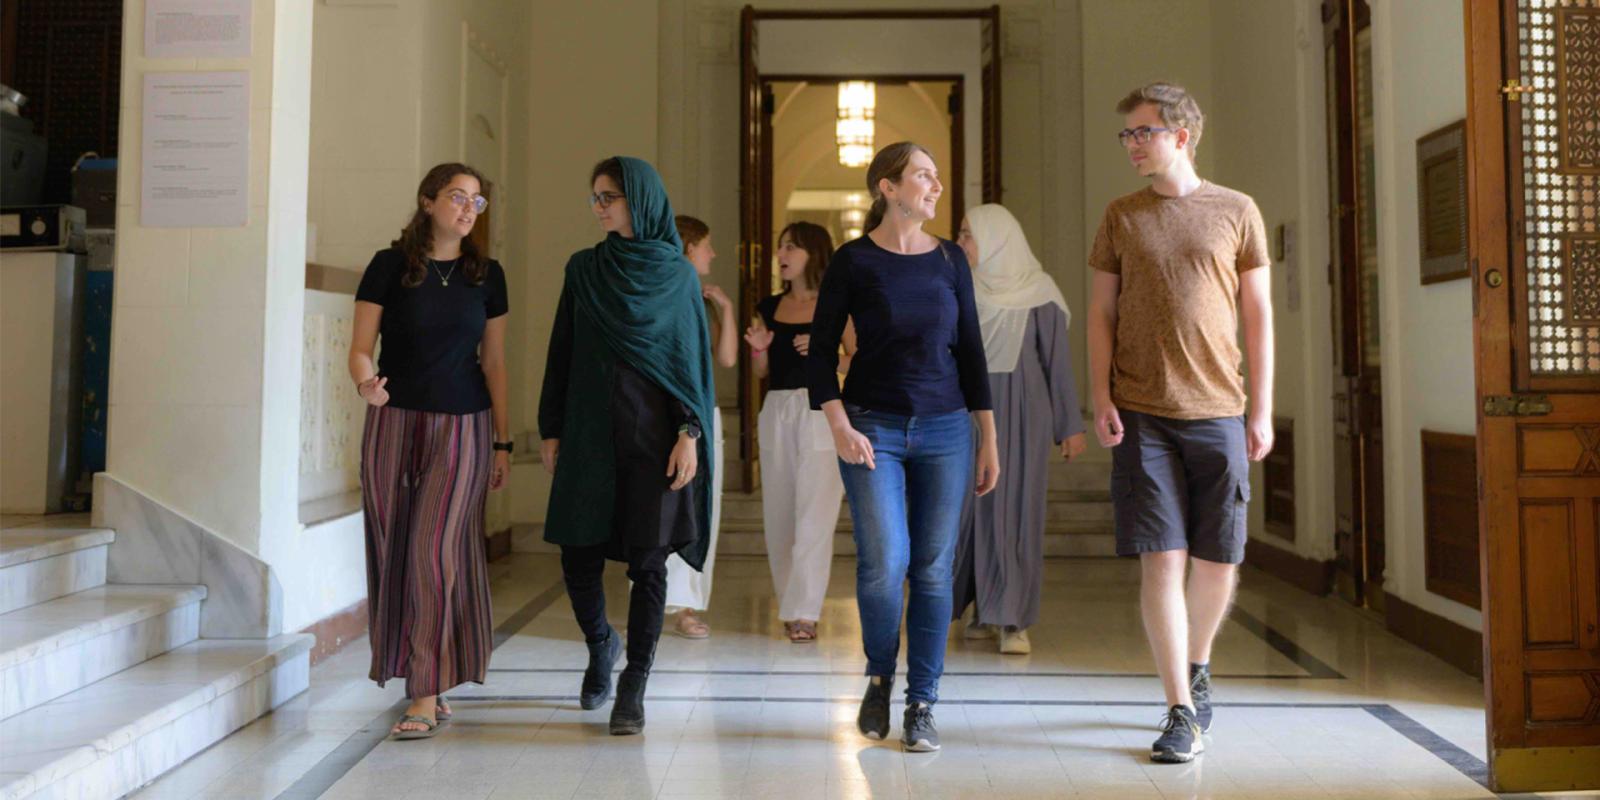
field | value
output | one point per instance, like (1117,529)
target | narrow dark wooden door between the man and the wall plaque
(1353,273)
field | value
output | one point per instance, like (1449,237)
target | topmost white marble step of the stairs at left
(44,564)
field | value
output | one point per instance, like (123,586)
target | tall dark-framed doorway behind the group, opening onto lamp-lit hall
(950,68)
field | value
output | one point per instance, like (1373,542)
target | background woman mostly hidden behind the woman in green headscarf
(689,591)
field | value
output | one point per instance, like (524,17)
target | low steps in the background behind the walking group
(1078,518)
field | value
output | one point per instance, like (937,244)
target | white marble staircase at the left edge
(105,687)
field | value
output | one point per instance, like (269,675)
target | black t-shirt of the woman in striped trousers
(431,334)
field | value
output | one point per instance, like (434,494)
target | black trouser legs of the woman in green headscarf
(583,569)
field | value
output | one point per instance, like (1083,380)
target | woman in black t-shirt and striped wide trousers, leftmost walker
(436,398)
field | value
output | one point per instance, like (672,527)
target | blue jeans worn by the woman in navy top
(908,518)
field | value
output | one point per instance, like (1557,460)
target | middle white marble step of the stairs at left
(62,646)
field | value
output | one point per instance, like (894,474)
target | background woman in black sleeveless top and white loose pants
(801,482)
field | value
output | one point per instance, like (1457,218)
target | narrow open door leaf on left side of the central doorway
(756,222)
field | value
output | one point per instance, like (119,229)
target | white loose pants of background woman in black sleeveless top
(801,502)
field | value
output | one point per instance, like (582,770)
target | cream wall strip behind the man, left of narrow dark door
(1266,137)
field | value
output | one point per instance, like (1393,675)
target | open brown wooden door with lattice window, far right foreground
(1534,191)
